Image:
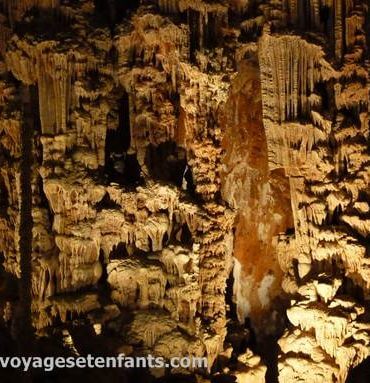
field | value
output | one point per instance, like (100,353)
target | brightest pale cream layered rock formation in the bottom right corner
(326,337)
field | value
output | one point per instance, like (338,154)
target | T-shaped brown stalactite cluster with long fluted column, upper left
(53,73)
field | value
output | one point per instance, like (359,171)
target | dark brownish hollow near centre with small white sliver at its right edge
(167,162)
